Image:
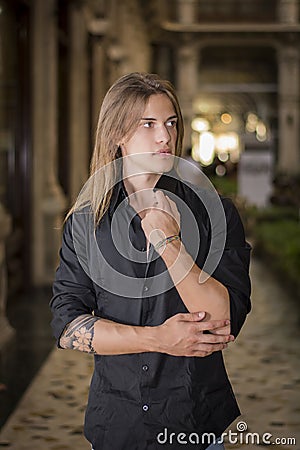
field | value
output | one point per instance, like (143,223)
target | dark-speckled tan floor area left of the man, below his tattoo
(50,414)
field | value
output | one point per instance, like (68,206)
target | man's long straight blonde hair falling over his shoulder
(119,116)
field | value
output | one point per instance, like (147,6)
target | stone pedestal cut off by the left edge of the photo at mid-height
(7,332)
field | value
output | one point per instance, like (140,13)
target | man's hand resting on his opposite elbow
(183,335)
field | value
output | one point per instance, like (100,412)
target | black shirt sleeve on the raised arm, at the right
(233,268)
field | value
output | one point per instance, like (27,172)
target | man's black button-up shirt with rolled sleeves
(136,401)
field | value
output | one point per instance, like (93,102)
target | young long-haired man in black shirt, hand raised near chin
(153,280)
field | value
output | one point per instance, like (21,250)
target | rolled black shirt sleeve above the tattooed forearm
(73,290)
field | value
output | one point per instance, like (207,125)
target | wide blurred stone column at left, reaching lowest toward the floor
(48,200)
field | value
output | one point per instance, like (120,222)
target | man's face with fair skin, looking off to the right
(152,146)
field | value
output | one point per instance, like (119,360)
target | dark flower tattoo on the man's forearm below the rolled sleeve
(79,334)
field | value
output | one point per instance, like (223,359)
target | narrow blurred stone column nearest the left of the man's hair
(79,103)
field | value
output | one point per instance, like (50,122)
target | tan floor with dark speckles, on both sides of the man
(263,365)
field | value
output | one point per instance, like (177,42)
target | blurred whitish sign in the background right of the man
(255,174)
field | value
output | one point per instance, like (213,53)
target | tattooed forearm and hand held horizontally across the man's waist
(180,335)
